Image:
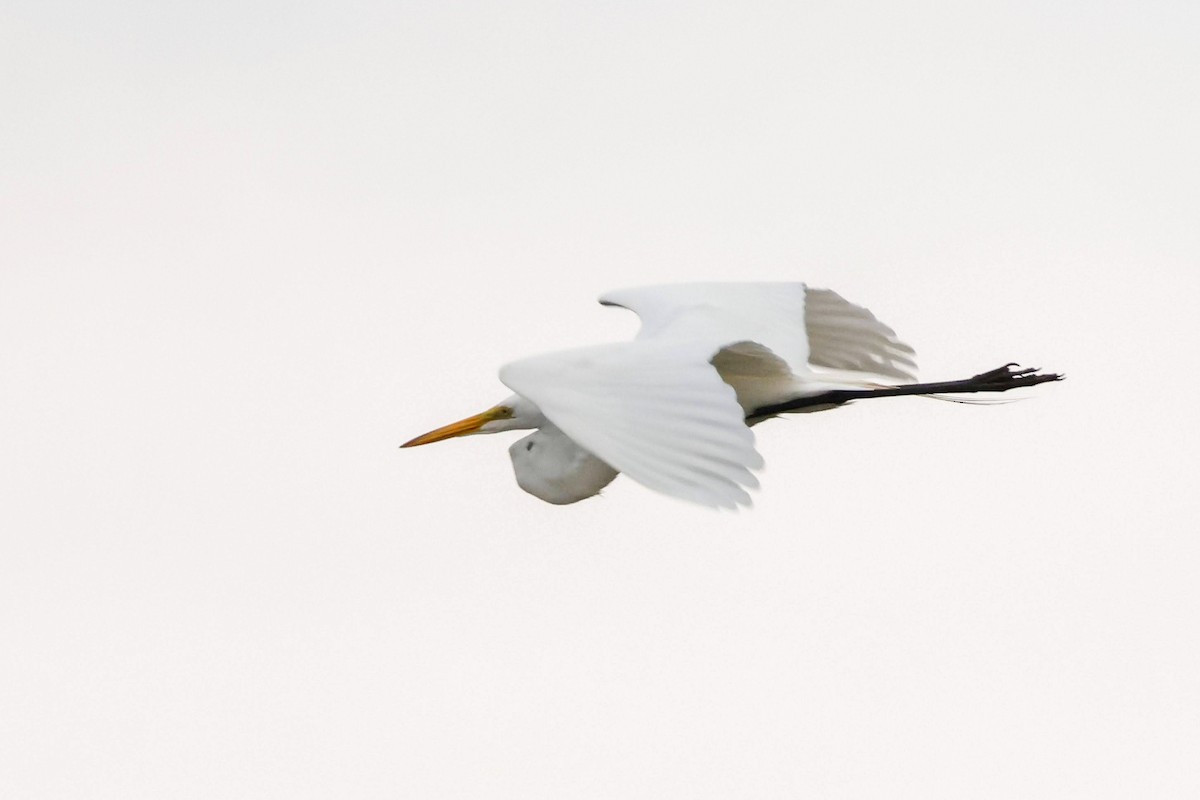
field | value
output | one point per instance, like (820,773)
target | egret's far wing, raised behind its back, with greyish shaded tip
(801,326)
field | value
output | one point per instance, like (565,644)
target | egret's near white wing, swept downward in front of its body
(655,411)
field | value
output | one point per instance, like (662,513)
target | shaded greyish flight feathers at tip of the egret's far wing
(845,336)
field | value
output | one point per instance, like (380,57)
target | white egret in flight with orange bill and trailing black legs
(674,408)
